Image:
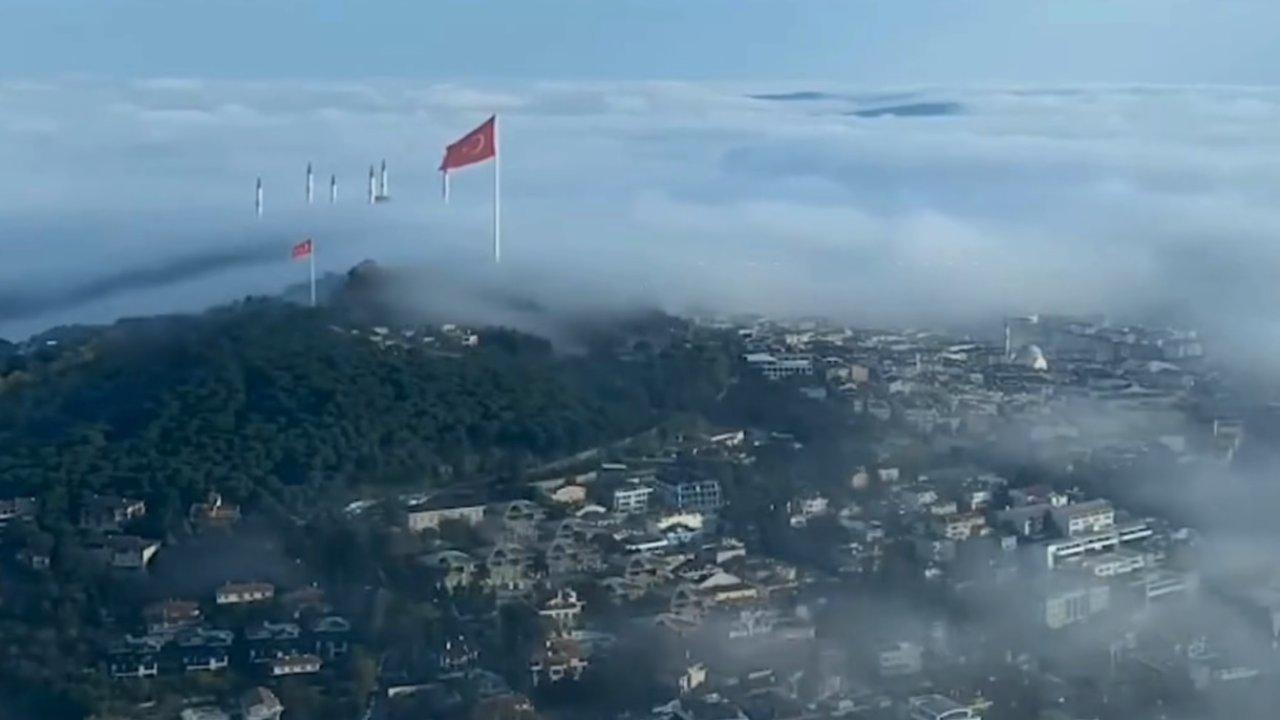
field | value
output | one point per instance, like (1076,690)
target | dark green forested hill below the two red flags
(267,399)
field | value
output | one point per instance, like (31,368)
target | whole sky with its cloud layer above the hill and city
(1085,156)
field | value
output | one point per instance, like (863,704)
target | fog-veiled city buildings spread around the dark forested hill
(900,525)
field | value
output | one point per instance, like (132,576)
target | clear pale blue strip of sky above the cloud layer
(858,42)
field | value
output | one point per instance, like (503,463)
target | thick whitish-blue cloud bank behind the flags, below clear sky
(1127,200)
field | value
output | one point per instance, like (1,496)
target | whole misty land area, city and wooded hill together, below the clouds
(820,522)
